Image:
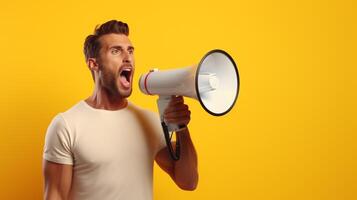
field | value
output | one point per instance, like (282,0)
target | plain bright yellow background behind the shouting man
(290,136)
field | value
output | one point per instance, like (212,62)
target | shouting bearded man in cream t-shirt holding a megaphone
(104,146)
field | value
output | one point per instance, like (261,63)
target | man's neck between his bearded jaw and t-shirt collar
(105,99)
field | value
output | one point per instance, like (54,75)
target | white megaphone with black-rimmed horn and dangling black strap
(214,82)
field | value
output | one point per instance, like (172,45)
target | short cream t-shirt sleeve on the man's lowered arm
(58,146)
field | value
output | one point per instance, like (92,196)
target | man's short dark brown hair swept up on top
(92,44)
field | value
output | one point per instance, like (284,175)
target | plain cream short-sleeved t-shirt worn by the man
(112,152)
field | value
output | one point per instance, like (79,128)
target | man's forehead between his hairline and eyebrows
(113,39)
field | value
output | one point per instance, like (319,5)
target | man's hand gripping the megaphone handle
(177,112)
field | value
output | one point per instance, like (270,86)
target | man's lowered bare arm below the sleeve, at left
(58,179)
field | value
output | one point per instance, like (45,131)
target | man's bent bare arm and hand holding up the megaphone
(184,171)
